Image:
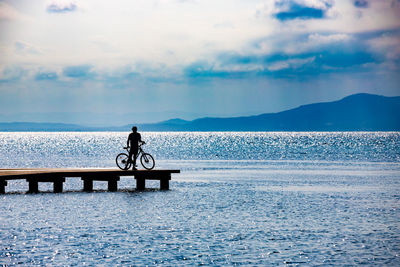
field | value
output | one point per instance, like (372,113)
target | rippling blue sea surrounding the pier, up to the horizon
(242,198)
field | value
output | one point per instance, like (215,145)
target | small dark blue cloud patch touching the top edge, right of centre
(297,9)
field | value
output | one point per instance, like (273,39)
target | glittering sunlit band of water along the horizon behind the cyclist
(99,149)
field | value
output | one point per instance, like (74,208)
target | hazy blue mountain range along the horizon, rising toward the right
(360,112)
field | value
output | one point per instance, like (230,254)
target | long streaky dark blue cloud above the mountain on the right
(348,57)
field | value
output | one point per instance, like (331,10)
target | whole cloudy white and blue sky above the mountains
(203,57)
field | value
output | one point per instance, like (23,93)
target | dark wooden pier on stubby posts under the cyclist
(57,177)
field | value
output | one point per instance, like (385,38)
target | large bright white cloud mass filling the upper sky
(172,34)
